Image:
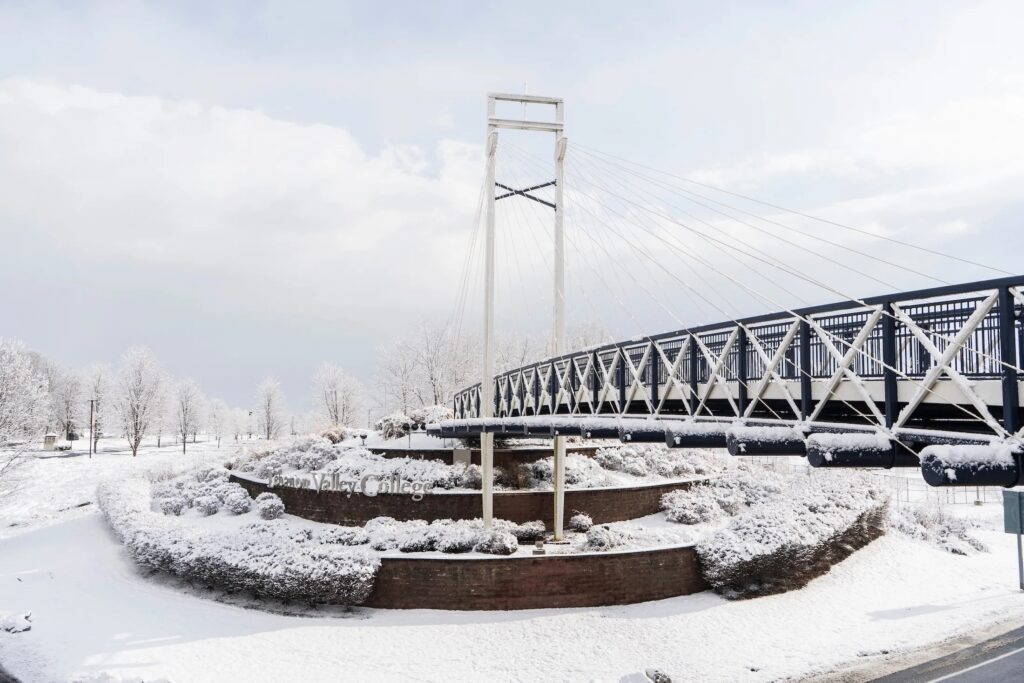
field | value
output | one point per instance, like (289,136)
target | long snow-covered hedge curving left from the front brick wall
(274,560)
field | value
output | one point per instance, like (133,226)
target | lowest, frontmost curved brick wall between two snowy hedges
(536,583)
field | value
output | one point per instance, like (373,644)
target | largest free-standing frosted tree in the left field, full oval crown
(137,400)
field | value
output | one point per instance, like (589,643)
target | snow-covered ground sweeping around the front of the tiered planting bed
(95,616)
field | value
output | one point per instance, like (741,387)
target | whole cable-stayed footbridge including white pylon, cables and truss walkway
(929,377)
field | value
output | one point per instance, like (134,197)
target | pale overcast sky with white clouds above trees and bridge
(253,188)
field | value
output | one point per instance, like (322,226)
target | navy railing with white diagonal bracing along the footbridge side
(857,362)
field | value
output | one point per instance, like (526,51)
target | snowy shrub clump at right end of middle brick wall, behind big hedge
(727,495)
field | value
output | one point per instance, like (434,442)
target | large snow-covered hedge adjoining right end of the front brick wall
(786,541)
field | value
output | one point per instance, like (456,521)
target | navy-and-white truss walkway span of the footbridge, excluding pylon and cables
(869,383)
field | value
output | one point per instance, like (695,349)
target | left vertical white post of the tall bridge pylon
(488,378)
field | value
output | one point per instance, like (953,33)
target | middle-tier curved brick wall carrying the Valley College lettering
(604,505)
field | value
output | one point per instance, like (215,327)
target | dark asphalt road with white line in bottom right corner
(998,661)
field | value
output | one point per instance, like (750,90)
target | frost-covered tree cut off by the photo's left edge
(25,404)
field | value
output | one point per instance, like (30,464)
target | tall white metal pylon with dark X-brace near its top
(559,336)
